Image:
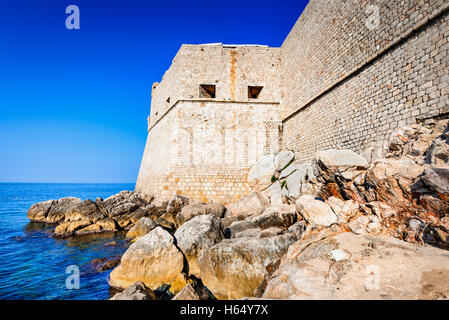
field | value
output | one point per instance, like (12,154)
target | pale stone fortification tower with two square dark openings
(214,113)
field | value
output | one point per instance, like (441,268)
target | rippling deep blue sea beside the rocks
(33,264)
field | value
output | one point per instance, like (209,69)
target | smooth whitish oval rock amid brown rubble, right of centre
(316,211)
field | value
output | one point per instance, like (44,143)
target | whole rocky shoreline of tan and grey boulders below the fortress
(344,226)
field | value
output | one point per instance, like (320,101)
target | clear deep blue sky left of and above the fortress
(74,103)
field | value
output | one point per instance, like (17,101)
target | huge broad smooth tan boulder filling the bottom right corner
(377,268)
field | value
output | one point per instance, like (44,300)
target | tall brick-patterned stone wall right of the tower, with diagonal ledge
(347,81)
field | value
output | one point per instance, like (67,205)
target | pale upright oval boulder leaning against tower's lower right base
(261,173)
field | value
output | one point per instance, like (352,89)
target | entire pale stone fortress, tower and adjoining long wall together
(348,74)
